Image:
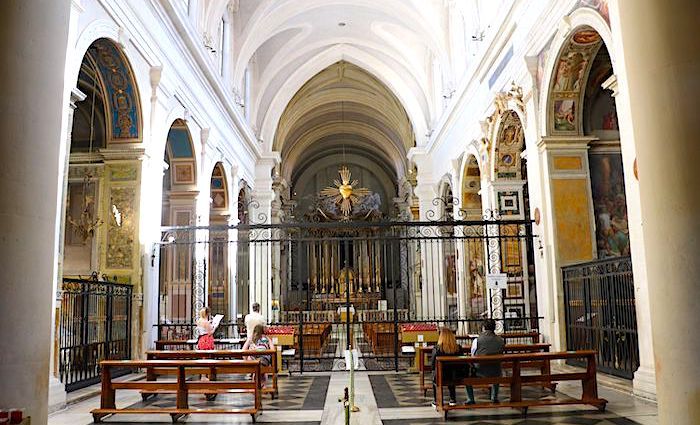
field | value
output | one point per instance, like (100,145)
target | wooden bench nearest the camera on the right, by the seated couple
(517,380)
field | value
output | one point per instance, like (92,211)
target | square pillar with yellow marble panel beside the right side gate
(568,212)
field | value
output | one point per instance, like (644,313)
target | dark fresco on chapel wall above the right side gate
(609,205)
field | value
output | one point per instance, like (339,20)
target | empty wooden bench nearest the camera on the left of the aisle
(181,386)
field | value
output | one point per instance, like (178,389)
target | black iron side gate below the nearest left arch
(95,325)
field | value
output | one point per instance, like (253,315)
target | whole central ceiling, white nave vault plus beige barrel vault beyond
(405,50)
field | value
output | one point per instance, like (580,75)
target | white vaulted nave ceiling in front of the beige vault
(284,43)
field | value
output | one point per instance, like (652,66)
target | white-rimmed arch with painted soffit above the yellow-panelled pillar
(582,19)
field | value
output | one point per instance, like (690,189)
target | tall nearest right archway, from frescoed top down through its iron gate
(589,205)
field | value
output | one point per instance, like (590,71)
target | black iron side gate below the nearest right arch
(601,315)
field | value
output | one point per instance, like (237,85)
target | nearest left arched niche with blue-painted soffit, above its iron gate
(101,195)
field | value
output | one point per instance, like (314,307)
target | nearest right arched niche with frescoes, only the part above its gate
(579,104)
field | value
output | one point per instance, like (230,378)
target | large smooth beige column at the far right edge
(658,67)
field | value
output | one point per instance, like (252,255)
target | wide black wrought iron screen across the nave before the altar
(398,279)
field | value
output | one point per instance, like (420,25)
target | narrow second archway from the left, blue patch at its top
(177,259)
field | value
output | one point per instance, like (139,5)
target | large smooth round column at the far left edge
(34,37)
